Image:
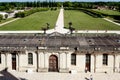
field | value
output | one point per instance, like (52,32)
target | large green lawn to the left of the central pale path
(34,21)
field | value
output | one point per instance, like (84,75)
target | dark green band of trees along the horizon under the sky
(22,5)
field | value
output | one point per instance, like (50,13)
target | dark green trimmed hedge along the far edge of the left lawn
(29,12)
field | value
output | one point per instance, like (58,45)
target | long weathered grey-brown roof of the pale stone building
(57,41)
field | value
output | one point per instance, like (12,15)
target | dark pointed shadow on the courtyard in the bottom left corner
(5,75)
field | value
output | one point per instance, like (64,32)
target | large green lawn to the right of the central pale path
(82,21)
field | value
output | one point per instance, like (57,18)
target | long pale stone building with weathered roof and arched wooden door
(60,53)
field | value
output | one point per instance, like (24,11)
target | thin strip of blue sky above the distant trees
(59,0)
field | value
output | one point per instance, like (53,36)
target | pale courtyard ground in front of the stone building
(13,75)
